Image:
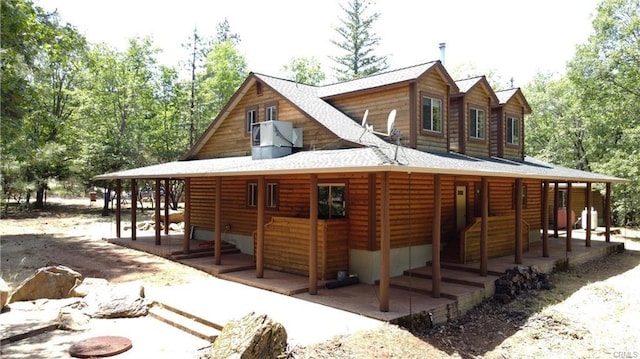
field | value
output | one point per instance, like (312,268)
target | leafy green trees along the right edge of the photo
(590,119)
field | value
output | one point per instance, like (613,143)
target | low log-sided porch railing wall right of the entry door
(501,241)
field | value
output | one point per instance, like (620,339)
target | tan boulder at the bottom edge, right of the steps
(252,336)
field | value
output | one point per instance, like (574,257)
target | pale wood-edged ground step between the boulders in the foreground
(187,323)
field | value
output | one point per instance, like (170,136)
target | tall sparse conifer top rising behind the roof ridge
(358,41)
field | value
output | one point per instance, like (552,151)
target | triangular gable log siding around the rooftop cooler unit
(231,139)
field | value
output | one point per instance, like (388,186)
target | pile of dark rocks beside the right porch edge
(519,280)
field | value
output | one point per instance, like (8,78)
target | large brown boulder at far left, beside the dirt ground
(52,282)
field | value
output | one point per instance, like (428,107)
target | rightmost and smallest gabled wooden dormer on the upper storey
(507,124)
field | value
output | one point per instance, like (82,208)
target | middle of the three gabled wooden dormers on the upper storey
(469,117)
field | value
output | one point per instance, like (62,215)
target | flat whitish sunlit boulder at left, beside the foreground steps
(116,301)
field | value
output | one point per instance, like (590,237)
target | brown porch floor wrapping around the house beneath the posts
(462,287)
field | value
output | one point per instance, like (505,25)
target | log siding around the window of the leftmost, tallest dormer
(432,83)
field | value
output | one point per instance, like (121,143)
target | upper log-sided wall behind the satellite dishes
(379,104)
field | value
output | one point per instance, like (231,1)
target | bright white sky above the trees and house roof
(512,38)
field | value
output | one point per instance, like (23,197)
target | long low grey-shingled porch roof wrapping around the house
(367,159)
